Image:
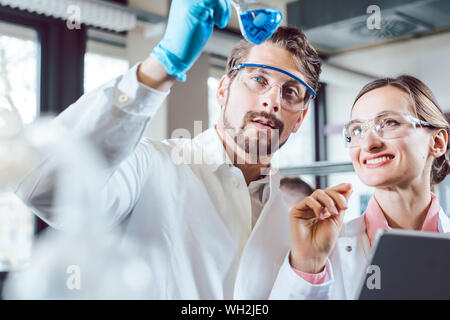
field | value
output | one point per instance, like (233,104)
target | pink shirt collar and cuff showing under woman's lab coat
(375,219)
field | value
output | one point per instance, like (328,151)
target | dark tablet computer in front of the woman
(407,264)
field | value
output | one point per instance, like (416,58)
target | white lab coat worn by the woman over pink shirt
(346,265)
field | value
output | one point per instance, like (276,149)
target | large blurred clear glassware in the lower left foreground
(86,258)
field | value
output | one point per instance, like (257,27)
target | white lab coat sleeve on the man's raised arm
(113,118)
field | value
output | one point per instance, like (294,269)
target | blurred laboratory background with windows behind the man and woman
(46,64)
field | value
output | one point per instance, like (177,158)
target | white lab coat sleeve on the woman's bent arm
(289,285)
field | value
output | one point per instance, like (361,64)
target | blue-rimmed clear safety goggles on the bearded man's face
(258,78)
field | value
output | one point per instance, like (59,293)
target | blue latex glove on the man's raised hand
(188,29)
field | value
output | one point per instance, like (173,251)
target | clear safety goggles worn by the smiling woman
(386,125)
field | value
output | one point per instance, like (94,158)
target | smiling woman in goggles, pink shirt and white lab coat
(398,143)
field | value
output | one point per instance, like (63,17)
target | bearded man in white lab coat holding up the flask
(218,228)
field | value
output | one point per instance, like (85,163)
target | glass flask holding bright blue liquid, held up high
(257,20)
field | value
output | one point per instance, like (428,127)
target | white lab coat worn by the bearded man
(193,221)
